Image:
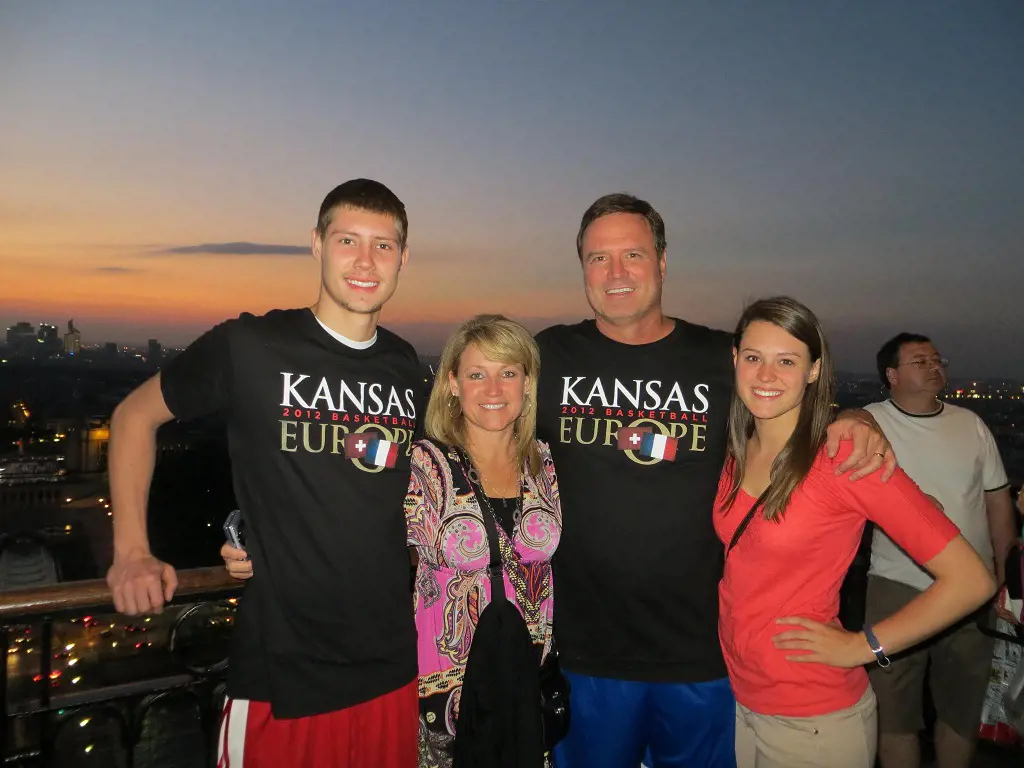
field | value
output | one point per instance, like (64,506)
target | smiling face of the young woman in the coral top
(774,369)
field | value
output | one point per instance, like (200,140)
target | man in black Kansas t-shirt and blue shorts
(634,405)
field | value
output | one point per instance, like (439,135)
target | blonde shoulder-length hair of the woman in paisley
(502,340)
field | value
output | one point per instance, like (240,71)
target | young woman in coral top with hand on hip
(792,527)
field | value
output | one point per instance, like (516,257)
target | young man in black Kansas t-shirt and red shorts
(321,407)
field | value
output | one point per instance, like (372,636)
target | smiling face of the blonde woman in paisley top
(491,394)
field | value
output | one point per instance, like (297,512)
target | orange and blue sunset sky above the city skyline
(867,158)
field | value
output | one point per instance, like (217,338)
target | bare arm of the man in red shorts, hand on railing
(139,582)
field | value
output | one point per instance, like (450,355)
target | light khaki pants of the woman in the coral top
(847,739)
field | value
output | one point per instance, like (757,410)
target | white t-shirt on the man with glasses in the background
(952,456)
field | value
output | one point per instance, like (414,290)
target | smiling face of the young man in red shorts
(361,255)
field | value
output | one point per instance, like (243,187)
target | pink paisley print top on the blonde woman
(445,525)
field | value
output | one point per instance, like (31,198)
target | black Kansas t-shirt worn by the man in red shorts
(327,620)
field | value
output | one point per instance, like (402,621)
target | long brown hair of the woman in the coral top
(800,452)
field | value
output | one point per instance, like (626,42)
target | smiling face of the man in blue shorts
(623,271)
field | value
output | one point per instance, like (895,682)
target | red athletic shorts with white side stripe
(379,734)
